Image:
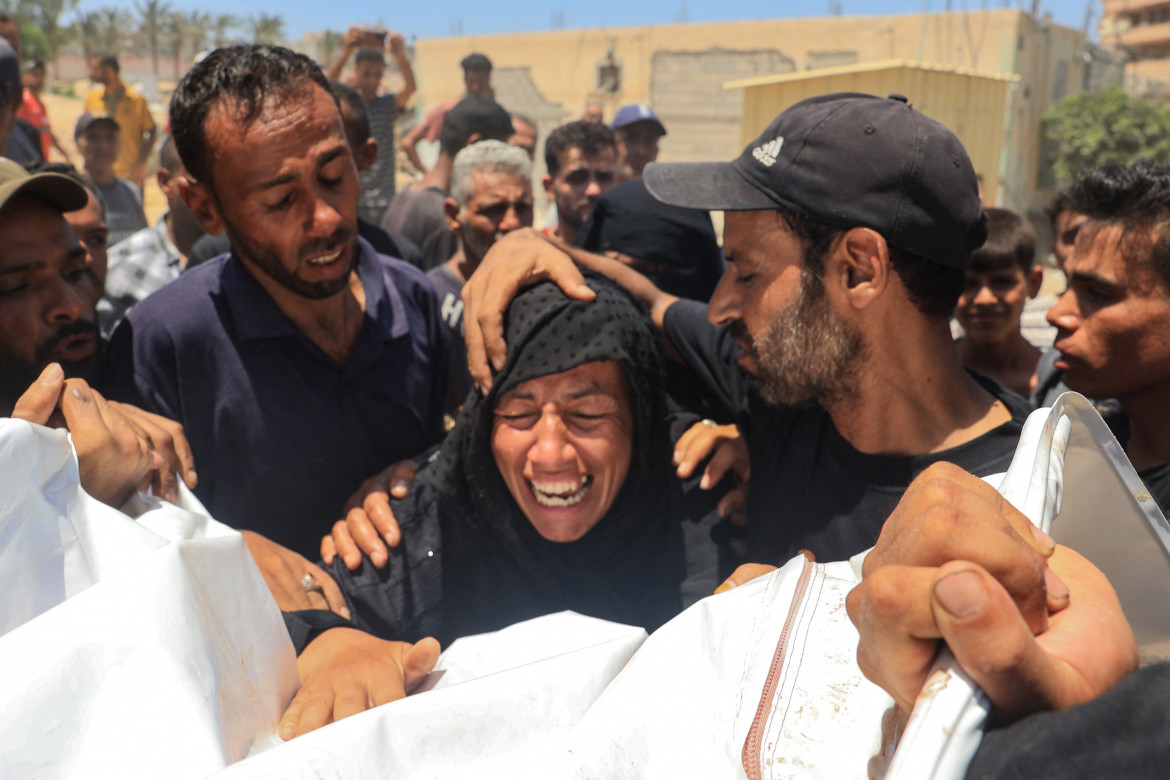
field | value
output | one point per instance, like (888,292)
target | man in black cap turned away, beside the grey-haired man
(418,211)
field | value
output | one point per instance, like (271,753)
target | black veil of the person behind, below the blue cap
(629,219)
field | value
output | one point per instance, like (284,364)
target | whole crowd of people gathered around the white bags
(432,419)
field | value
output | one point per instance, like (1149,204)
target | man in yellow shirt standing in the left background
(129,109)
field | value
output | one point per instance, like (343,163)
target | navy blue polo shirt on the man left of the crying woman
(281,434)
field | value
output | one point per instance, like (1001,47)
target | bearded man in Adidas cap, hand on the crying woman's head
(849,224)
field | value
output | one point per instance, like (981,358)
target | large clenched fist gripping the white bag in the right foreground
(1036,626)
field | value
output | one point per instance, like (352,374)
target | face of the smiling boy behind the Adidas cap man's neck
(993,301)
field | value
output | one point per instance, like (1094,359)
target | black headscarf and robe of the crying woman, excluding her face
(497,569)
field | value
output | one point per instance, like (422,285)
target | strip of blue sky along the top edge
(442,19)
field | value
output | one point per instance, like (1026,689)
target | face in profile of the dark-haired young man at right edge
(1114,321)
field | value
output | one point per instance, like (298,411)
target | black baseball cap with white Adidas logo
(848,161)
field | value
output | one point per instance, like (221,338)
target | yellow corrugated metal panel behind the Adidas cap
(972,106)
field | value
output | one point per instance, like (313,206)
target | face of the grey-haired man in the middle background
(499,204)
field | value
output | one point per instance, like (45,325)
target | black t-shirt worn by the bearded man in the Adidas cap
(810,488)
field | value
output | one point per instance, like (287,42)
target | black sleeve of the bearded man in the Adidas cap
(708,351)
